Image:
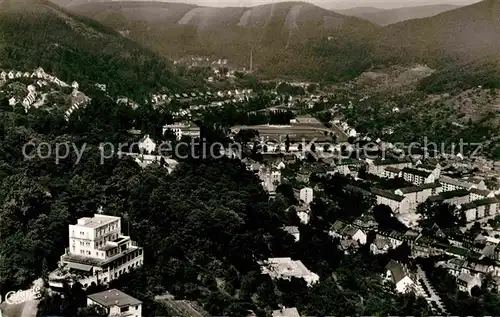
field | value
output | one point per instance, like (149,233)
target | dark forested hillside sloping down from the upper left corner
(38,33)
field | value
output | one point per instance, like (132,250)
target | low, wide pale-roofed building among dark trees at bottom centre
(286,268)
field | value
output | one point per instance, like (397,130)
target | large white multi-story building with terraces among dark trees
(98,252)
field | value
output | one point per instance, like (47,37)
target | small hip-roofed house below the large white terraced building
(116,303)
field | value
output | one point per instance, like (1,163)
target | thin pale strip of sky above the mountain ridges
(330,4)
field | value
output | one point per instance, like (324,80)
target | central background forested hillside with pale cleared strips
(293,39)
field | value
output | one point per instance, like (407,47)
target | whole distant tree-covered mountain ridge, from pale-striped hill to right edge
(301,40)
